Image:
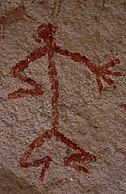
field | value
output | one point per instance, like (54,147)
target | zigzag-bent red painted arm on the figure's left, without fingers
(17,72)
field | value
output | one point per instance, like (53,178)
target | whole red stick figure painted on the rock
(102,73)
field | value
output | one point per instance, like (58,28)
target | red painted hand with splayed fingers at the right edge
(103,73)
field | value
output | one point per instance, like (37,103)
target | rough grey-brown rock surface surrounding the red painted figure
(96,122)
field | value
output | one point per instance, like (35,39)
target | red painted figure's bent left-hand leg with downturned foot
(38,142)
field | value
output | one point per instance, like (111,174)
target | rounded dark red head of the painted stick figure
(46,31)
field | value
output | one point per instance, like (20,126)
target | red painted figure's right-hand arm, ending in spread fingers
(101,72)
